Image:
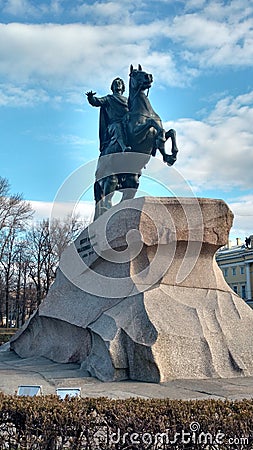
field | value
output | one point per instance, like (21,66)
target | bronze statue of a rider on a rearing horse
(130,132)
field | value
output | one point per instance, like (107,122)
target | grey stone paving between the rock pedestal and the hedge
(15,371)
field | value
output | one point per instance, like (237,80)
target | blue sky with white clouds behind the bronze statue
(201,56)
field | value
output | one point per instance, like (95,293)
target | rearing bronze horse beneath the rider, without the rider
(144,134)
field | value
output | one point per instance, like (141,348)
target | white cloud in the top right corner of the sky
(219,34)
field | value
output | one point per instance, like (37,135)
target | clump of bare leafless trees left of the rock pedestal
(29,255)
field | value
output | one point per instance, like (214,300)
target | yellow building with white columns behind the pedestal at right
(236,263)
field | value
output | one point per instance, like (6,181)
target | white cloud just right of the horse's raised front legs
(217,153)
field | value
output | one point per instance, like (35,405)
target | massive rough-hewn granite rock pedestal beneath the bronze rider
(139,296)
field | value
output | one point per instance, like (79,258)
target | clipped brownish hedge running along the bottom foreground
(49,423)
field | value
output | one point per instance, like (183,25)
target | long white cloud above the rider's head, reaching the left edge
(73,54)
